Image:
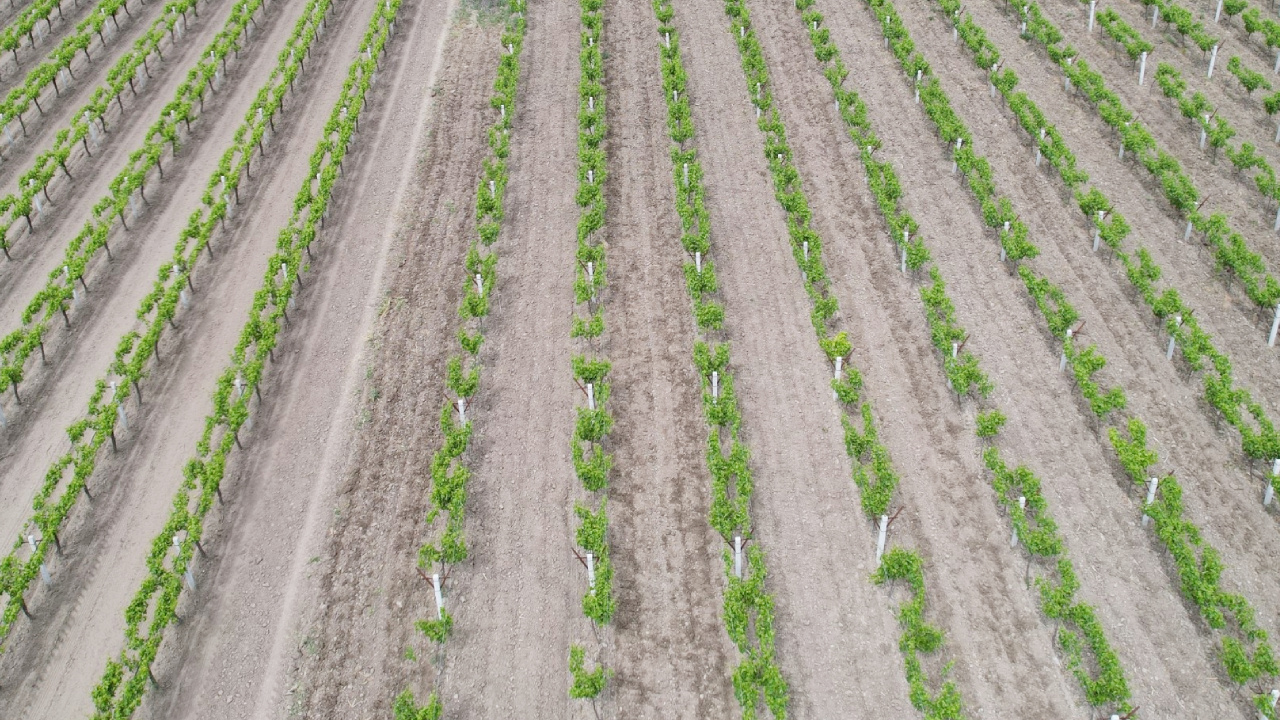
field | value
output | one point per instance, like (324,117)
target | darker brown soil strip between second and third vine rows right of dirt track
(673,657)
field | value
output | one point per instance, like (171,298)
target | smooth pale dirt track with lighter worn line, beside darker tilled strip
(237,660)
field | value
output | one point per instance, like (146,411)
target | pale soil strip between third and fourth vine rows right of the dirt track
(836,636)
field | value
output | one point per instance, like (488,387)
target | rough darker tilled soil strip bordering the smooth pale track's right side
(349,654)
